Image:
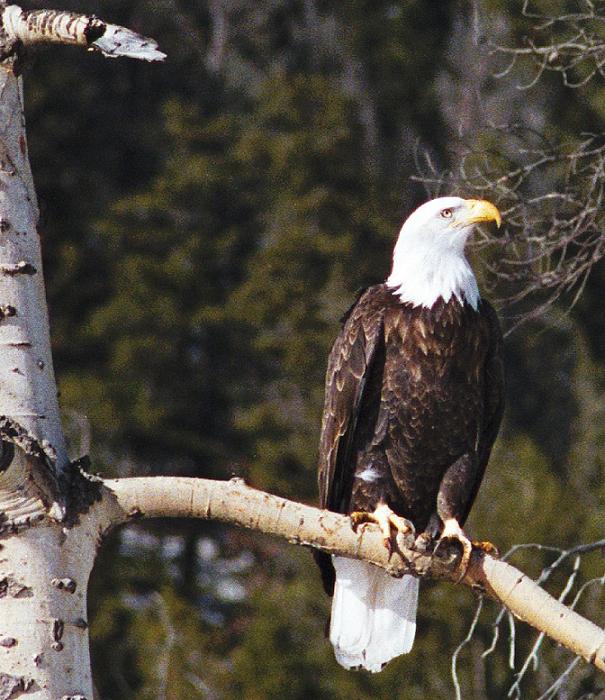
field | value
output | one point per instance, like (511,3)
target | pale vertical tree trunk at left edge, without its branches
(43,569)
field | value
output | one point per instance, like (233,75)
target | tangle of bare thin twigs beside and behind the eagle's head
(551,198)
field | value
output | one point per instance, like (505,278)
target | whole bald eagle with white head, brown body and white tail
(413,403)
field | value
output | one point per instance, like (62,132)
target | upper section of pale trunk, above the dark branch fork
(28,392)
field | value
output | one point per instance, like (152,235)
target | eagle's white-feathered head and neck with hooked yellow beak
(429,260)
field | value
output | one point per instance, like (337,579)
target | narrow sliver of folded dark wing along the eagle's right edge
(493,403)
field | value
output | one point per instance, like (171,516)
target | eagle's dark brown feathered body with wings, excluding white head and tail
(413,403)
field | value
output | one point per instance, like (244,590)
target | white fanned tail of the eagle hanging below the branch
(373,615)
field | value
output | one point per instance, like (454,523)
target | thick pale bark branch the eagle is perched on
(234,502)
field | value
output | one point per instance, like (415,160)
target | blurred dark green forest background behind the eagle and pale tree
(205,224)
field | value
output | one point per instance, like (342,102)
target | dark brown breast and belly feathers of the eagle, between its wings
(430,405)
